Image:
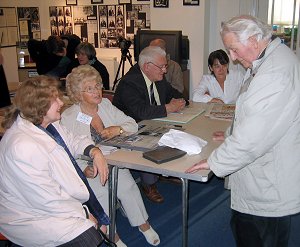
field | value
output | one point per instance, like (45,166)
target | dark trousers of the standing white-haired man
(256,231)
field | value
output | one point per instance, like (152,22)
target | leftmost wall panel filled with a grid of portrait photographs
(60,20)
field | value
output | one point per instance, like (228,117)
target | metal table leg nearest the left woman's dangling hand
(112,186)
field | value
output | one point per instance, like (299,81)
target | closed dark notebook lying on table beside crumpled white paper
(163,154)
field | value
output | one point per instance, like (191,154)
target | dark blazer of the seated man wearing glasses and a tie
(132,96)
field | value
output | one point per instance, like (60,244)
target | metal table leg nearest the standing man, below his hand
(185,184)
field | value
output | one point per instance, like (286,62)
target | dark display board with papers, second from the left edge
(29,23)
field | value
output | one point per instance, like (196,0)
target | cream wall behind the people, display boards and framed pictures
(200,23)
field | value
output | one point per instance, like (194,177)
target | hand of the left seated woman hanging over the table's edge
(99,165)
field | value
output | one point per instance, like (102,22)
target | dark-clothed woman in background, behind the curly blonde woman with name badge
(86,54)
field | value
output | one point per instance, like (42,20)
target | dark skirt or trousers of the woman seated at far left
(91,237)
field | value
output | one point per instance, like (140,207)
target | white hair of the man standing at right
(245,26)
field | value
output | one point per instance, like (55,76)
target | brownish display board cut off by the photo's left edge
(8,27)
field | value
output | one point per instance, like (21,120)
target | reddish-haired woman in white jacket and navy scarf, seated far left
(42,191)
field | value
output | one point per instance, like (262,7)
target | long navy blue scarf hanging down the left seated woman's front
(93,204)
